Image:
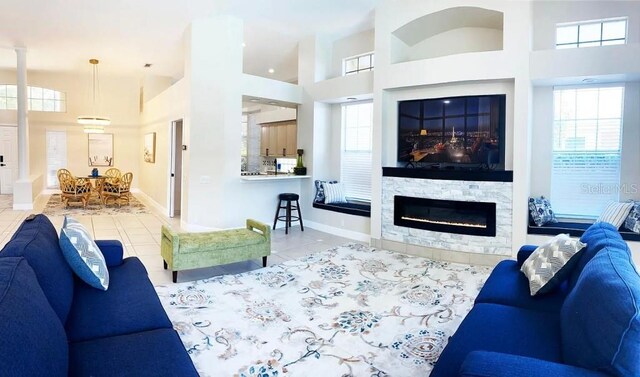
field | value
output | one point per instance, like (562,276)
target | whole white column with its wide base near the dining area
(23,187)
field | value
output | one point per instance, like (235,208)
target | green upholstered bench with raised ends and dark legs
(184,251)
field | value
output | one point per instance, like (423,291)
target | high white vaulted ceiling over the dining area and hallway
(62,35)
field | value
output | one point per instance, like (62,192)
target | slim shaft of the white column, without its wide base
(23,123)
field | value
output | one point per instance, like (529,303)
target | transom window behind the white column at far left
(38,99)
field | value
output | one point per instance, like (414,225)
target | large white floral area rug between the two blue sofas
(347,311)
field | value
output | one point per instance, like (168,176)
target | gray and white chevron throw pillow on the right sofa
(550,264)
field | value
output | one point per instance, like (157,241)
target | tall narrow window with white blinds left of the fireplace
(355,164)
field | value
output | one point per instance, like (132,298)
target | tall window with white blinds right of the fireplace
(587,135)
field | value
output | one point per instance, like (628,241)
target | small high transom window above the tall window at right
(592,33)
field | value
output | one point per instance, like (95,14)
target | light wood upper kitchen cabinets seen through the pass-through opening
(279,139)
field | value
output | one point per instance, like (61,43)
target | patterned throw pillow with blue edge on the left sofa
(84,256)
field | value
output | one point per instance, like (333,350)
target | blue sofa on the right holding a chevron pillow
(590,326)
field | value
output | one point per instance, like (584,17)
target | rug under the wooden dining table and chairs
(55,207)
